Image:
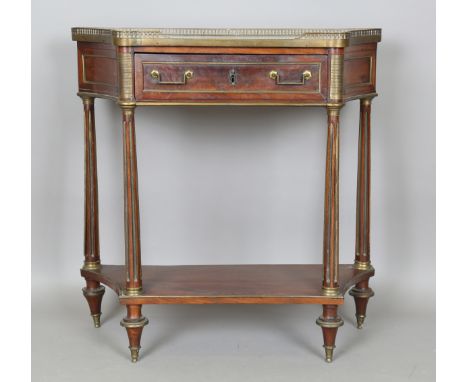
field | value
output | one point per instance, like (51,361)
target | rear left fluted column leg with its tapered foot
(93,291)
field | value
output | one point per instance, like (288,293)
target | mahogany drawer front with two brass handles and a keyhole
(230,78)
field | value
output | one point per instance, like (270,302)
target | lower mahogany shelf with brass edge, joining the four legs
(229,284)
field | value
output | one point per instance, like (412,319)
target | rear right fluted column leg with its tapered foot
(361,292)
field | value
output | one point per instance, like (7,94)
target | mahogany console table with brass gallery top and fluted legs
(271,67)
